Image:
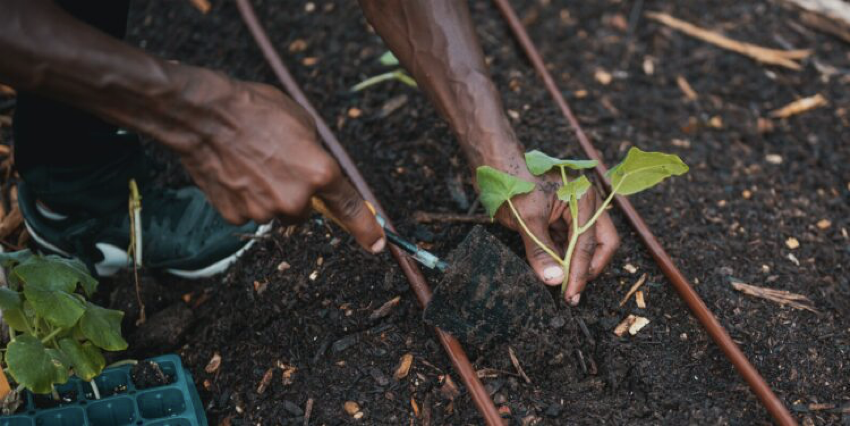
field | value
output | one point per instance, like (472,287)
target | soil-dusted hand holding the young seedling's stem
(549,219)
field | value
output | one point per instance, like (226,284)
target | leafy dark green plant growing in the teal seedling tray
(54,330)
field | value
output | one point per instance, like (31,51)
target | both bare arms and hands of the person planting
(236,138)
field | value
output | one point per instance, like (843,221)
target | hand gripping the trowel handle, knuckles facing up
(259,158)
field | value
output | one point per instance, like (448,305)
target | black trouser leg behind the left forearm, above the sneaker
(68,158)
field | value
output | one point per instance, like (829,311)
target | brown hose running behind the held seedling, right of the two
(680,283)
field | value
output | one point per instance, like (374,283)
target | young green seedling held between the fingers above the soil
(638,171)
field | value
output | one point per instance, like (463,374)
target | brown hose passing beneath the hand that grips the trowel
(461,363)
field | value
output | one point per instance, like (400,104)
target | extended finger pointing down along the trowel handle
(346,205)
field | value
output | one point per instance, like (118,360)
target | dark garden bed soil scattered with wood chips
(296,338)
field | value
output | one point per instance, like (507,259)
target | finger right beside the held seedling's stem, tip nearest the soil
(583,252)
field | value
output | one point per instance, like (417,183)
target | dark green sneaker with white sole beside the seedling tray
(182,234)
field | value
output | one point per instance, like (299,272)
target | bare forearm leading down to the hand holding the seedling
(436,41)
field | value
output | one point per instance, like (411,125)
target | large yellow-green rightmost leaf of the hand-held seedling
(642,170)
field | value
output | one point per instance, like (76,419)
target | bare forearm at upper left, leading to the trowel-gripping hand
(50,53)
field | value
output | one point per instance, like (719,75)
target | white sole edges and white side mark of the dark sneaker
(115,258)
